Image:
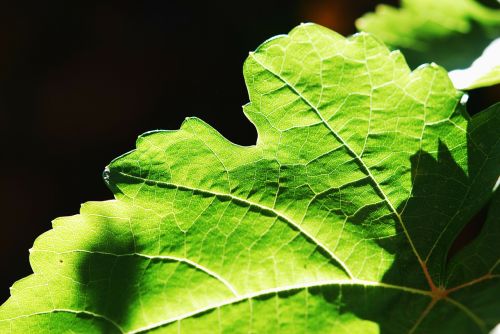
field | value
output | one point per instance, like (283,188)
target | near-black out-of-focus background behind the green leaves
(80,81)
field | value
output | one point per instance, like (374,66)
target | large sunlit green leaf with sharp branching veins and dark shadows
(340,218)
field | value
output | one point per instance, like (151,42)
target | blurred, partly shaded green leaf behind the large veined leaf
(452,33)
